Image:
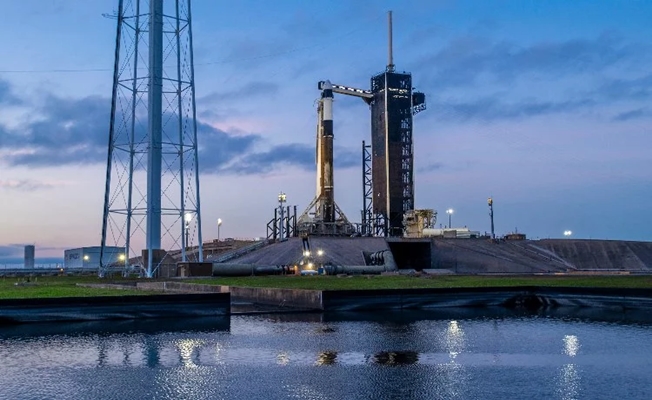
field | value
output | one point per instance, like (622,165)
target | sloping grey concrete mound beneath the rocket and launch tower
(466,256)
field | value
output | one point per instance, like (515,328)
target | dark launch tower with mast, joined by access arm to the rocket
(387,164)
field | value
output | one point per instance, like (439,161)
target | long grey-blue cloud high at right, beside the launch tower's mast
(466,60)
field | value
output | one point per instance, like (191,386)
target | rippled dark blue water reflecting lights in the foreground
(417,355)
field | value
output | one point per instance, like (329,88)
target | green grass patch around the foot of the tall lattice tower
(58,286)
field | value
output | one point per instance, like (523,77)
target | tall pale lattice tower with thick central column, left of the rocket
(152,179)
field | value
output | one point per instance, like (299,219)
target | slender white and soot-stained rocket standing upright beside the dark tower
(325,189)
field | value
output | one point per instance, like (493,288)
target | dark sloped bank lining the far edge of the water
(219,302)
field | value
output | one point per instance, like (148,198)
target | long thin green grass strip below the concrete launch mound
(408,282)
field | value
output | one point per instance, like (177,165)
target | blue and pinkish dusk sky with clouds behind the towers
(542,105)
